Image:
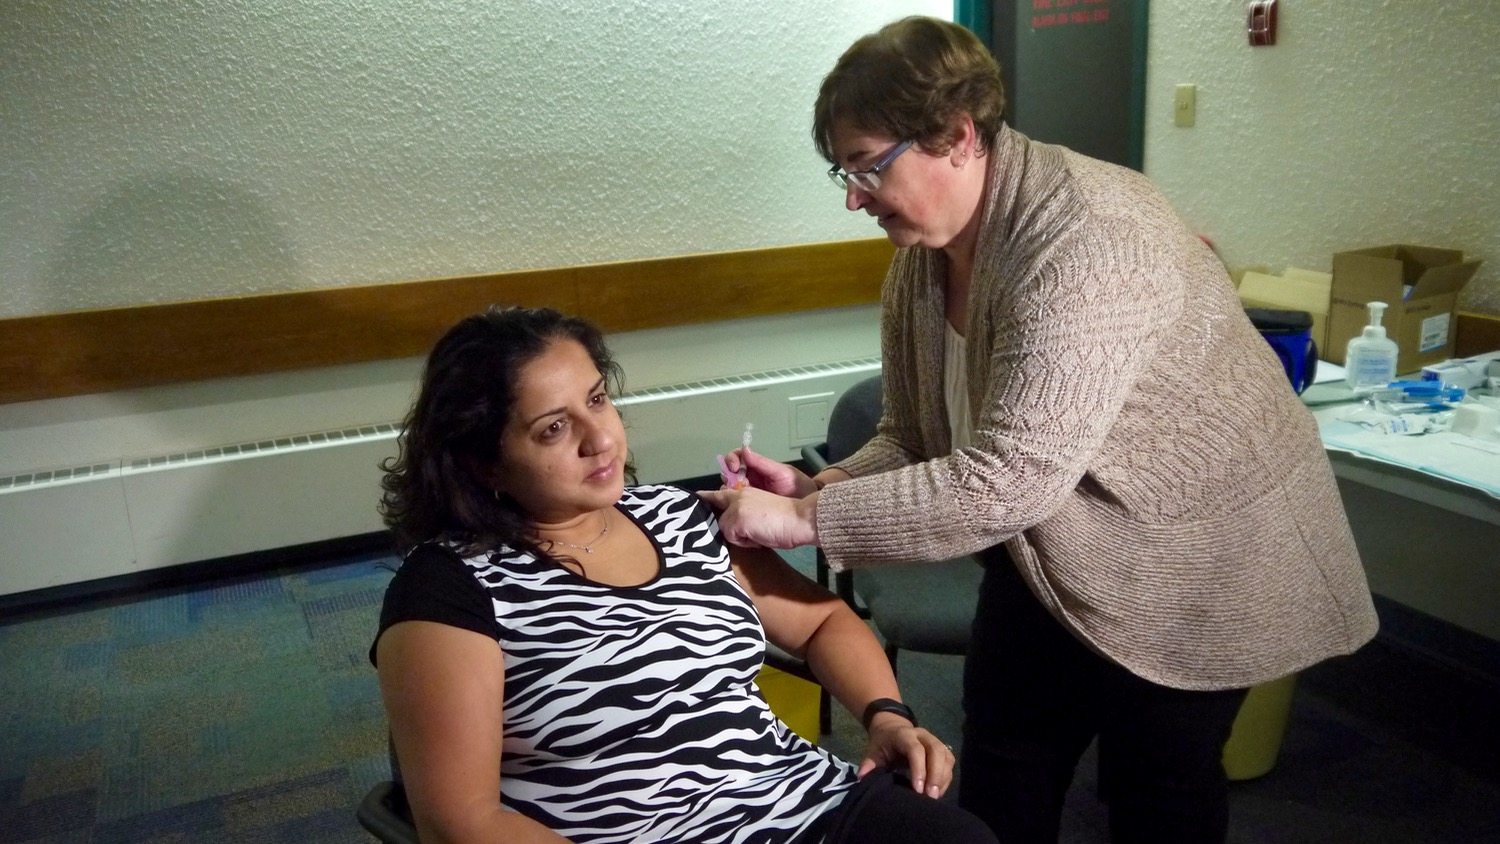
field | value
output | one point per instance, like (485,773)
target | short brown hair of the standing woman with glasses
(910,80)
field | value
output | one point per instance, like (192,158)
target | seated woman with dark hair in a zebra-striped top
(566,657)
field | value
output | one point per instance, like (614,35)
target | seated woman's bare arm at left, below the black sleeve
(445,696)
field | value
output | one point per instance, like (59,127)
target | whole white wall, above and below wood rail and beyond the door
(181,151)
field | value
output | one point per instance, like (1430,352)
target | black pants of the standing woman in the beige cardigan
(1034,698)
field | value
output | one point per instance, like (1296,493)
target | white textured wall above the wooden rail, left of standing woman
(161,151)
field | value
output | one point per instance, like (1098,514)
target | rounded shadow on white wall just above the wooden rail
(170,238)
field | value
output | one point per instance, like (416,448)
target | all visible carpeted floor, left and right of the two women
(247,711)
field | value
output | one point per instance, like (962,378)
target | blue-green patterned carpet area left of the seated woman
(236,713)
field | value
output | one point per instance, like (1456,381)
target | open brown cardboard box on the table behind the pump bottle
(1420,284)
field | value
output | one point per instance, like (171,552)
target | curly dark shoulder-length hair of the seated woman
(437,483)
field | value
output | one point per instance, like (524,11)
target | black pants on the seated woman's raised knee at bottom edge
(883,809)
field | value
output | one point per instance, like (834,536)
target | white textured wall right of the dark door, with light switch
(1369,122)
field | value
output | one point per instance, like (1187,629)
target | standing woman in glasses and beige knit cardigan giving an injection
(1075,394)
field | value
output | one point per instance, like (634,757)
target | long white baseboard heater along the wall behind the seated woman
(73,525)
